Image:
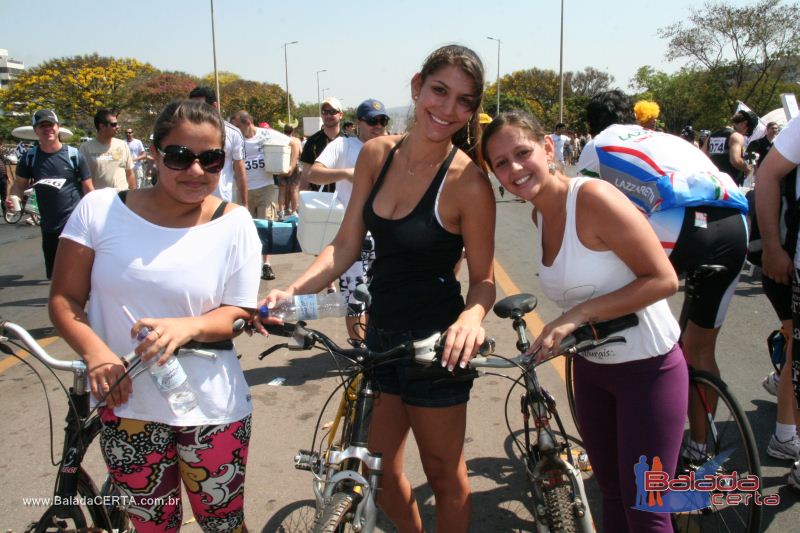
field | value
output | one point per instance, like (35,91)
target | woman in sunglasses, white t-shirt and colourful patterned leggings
(185,264)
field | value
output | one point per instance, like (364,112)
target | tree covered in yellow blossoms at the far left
(76,87)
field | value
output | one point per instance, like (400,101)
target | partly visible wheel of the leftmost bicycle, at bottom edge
(87,514)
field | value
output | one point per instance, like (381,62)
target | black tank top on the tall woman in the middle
(413,285)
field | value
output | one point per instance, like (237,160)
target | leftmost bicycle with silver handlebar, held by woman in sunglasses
(105,509)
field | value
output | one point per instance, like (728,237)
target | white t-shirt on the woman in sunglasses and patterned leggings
(169,272)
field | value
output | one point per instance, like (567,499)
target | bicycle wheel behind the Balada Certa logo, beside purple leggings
(729,448)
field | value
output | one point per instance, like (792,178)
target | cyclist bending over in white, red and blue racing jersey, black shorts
(696,210)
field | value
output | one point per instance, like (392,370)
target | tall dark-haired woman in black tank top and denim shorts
(423,200)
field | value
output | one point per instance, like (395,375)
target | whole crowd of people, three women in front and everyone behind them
(648,207)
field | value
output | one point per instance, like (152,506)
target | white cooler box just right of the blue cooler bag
(320,214)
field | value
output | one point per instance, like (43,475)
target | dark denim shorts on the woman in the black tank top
(393,377)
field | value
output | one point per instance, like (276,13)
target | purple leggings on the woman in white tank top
(624,411)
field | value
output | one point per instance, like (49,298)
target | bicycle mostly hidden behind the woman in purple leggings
(715,420)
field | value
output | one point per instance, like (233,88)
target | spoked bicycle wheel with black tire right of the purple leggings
(734,436)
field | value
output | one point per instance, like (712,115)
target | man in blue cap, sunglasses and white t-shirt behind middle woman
(336,164)
